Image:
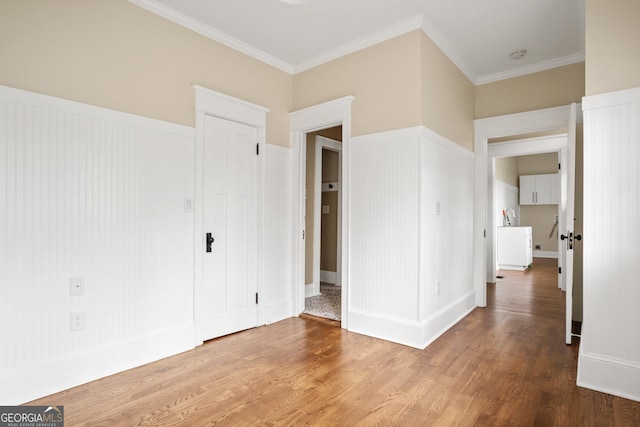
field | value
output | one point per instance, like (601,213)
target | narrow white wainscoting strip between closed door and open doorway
(277,301)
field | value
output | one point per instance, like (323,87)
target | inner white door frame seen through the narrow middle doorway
(329,144)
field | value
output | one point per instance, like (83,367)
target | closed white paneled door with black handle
(230,227)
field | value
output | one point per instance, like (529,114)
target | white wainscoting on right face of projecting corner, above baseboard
(446,224)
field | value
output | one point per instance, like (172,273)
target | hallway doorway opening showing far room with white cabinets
(526,202)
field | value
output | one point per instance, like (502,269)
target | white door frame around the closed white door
(209,102)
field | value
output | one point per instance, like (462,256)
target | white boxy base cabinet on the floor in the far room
(515,250)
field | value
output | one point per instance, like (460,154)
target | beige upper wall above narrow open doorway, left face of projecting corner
(384,79)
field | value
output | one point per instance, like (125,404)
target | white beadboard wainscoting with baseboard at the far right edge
(609,358)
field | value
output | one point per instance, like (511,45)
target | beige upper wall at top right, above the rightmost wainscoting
(611,43)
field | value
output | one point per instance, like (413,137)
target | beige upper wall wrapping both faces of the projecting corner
(404,82)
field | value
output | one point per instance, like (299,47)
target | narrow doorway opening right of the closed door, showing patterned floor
(323,293)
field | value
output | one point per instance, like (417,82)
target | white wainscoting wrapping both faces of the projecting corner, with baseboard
(411,235)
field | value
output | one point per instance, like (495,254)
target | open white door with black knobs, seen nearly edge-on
(567,177)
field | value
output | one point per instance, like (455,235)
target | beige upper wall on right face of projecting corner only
(447,96)
